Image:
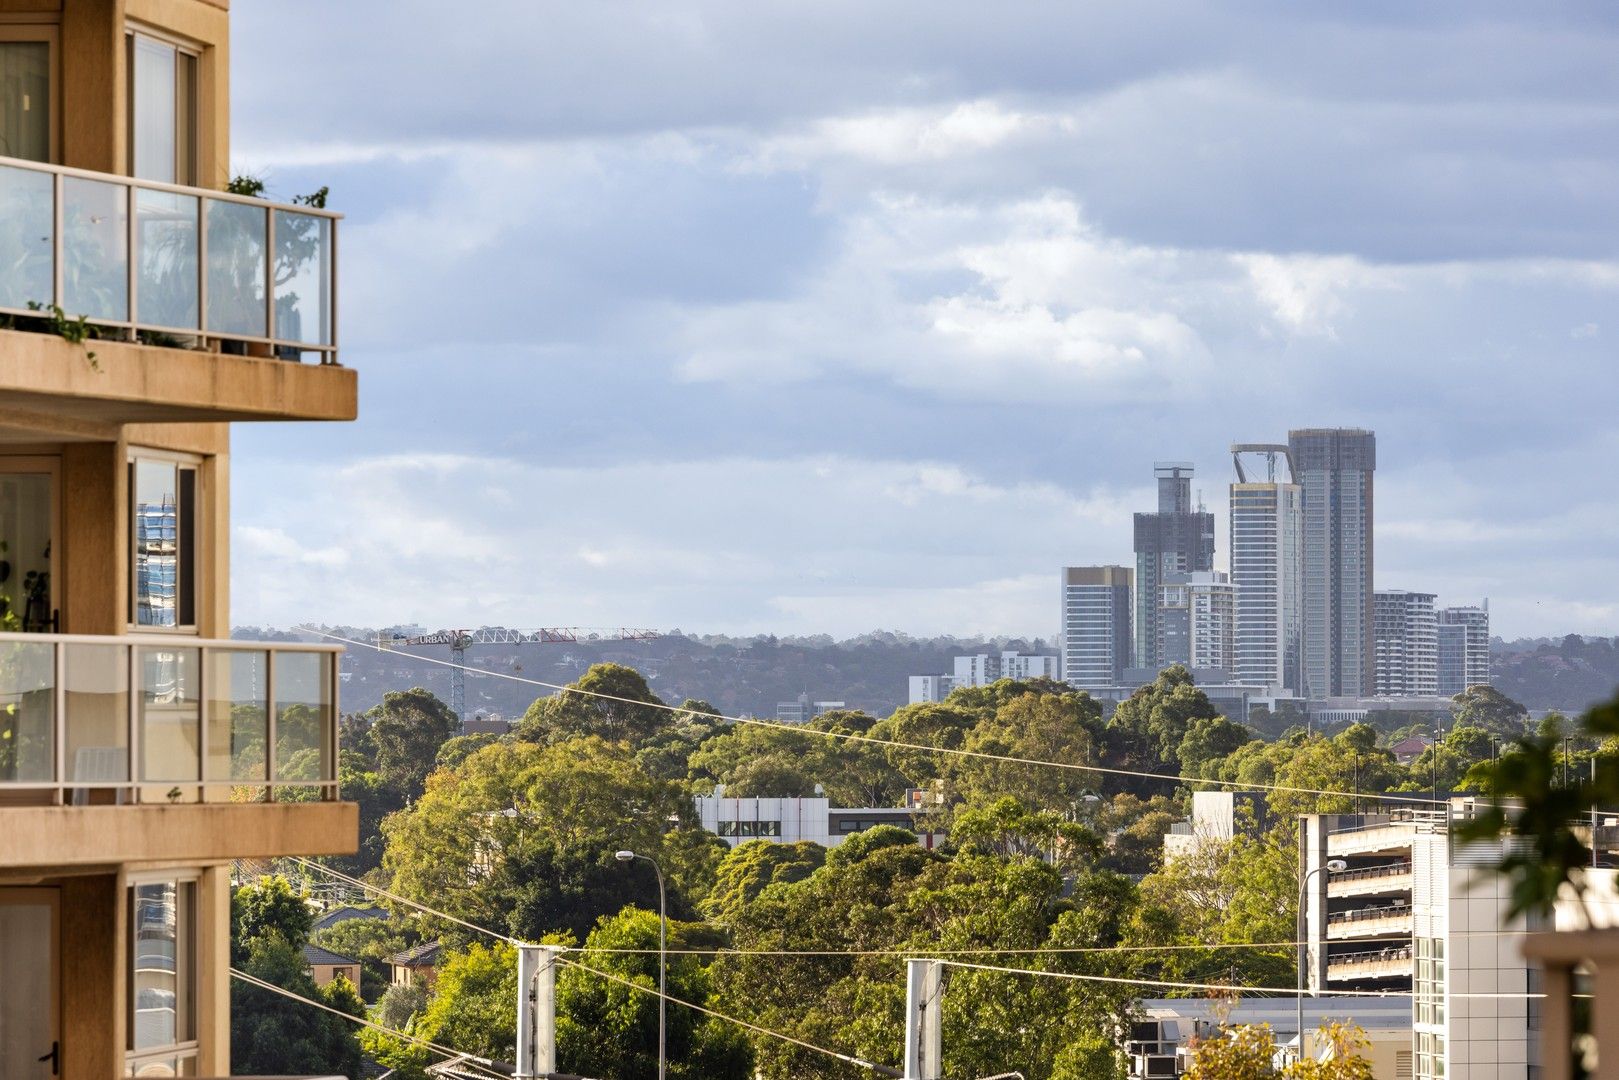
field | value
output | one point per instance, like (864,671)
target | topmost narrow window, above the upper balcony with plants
(163,111)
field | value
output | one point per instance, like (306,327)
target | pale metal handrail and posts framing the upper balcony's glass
(325,257)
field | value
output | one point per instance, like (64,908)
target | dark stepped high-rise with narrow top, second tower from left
(1176,540)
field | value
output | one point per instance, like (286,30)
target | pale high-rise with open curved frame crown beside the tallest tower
(1267,571)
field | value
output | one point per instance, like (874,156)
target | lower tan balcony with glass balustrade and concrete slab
(161,747)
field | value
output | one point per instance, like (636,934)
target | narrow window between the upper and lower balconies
(163,543)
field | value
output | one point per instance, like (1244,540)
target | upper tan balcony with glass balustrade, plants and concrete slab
(198,304)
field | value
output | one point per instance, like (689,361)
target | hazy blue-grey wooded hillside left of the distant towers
(737,676)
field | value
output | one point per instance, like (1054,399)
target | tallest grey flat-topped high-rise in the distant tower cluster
(1333,469)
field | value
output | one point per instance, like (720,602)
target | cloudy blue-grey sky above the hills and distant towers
(835,317)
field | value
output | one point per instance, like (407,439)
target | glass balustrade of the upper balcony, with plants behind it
(168,265)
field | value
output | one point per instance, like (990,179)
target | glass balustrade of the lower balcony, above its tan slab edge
(88,721)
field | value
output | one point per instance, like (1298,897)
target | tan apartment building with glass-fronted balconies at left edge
(140,749)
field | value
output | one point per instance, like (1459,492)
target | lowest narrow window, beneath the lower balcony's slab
(163,979)
